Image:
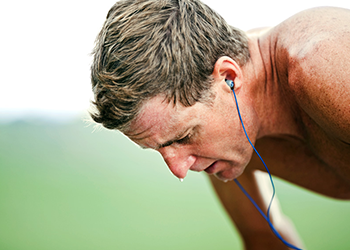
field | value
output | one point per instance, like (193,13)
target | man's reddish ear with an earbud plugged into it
(226,68)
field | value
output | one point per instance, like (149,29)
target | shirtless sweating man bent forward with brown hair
(159,76)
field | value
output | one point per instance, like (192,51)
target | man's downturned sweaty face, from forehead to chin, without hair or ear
(203,137)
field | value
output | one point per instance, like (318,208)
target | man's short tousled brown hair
(148,48)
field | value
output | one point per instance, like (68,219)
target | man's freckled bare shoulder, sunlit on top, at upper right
(317,44)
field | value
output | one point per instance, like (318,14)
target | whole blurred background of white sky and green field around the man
(65,185)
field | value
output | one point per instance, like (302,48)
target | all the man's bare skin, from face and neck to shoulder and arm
(294,97)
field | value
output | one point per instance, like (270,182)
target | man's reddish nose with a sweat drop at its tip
(178,160)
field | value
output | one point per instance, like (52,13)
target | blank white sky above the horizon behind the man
(46,45)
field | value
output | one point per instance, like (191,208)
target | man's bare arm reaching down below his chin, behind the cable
(253,228)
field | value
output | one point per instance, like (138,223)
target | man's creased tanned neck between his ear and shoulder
(269,87)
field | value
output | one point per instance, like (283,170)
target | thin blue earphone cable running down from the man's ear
(267,216)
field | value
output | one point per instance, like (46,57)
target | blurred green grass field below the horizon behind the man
(65,187)
